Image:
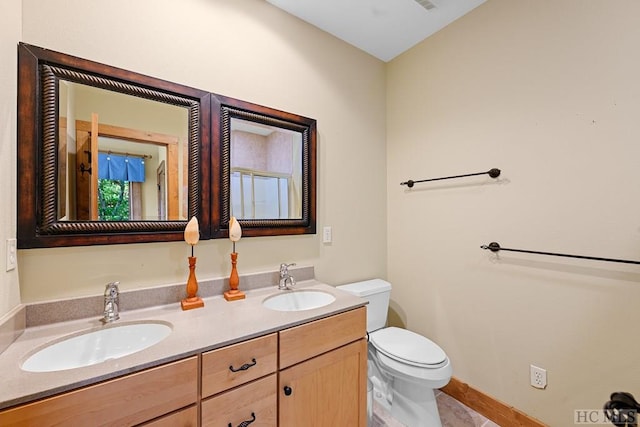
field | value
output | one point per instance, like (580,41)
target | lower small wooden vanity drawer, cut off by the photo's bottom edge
(258,398)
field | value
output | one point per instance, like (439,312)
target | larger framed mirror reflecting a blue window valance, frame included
(107,155)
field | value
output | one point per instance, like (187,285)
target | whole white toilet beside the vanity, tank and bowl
(403,366)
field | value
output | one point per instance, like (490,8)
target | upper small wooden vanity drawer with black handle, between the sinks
(237,364)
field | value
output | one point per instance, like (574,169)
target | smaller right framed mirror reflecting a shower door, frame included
(263,169)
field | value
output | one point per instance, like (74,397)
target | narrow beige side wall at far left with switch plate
(10,19)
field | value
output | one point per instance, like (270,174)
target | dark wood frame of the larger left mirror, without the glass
(39,71)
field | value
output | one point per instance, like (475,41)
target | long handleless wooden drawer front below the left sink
(128,400)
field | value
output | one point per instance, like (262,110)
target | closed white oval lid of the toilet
(408,347)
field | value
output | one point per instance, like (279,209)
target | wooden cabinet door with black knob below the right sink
(326,391)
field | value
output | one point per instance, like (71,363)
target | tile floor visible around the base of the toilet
(452,414)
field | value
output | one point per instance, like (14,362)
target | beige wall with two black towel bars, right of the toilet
(549,92)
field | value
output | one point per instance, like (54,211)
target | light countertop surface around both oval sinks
(217,324)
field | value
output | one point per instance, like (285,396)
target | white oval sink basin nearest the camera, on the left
(96,346)
